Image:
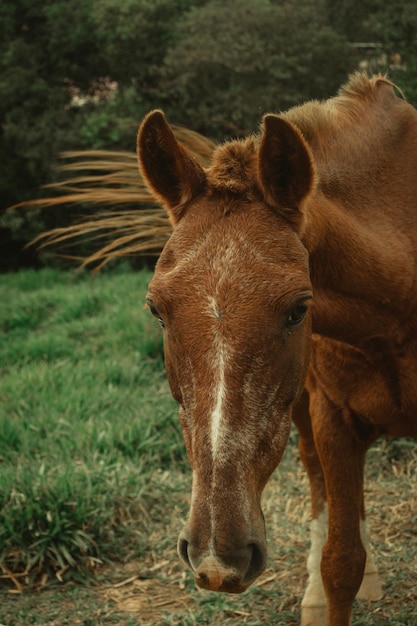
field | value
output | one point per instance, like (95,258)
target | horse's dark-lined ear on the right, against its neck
(286,168)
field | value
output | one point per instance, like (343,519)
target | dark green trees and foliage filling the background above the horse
(82,74)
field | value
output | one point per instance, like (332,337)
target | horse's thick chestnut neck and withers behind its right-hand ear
(360,224)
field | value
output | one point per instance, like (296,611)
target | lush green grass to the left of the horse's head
(81,432)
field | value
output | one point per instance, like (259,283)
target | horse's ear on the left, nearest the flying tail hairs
(172,174)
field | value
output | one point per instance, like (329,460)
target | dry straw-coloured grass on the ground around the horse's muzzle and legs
(158,590)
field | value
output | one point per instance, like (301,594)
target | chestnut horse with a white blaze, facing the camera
(287,292)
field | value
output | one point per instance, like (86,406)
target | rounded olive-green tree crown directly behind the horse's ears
(233,61)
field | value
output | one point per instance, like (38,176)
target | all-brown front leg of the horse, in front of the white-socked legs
(341,449)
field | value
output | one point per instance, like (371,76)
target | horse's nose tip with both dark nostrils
(213,574)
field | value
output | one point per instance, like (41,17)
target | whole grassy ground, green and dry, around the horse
(94,482)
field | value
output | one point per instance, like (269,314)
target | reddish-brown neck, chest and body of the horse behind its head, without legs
(363,263)
